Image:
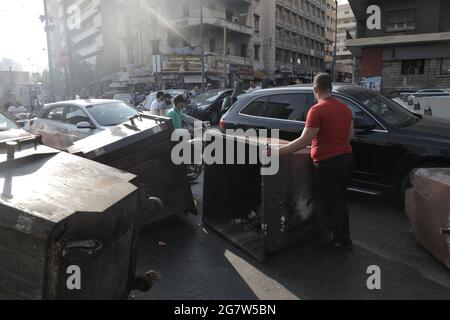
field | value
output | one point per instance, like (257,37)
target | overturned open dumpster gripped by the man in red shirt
(262,214)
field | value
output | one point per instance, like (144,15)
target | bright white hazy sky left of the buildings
(22,33)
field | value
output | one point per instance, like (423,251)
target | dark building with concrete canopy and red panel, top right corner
(410,51)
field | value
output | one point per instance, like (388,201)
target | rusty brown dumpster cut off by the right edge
(428,208)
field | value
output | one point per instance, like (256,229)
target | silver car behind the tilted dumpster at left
(63,123)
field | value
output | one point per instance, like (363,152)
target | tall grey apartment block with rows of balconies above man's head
(295,30)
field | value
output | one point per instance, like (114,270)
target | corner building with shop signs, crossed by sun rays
(231,41)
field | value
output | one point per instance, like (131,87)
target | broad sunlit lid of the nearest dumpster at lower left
(53,186)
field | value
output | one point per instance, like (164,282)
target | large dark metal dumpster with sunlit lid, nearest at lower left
(63,216)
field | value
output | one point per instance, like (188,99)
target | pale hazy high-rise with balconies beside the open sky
(84,45)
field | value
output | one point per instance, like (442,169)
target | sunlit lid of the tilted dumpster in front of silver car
(120,136)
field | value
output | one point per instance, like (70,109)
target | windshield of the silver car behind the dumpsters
(111,114)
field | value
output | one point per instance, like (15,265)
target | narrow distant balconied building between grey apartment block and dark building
(346,27)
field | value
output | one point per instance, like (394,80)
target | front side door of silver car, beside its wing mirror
(73,117)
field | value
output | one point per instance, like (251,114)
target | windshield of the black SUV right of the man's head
(389,111)
